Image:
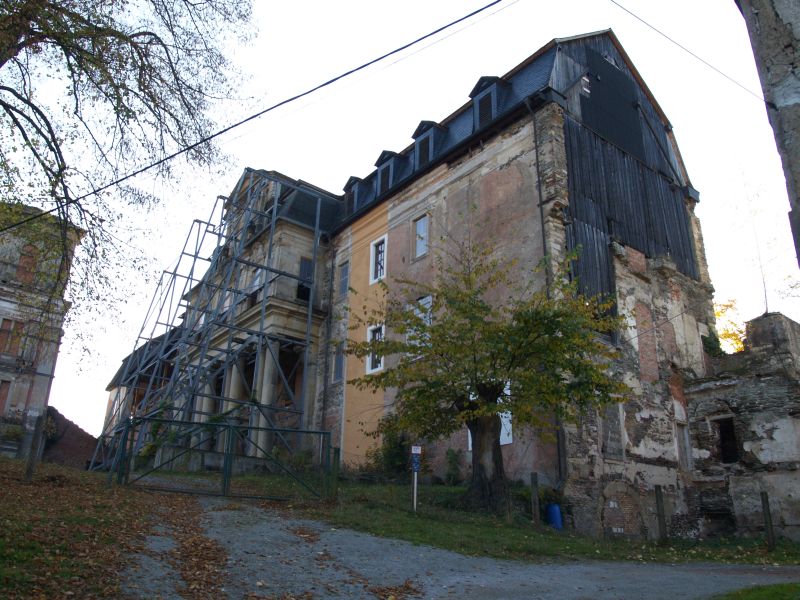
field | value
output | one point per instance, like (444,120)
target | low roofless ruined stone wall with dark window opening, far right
(745,426)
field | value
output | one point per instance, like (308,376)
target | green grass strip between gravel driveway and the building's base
(384,510)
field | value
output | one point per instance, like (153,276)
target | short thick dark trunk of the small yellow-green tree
(488,489)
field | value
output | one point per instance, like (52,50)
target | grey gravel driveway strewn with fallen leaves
(272,556)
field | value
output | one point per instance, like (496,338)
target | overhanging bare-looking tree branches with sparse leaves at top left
(91,89)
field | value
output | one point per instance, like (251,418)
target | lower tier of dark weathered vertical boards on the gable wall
(612,195)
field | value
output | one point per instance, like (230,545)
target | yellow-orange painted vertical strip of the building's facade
(362,408)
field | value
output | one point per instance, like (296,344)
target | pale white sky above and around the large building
(722,132)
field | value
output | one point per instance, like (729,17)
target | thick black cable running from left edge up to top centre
(252,117)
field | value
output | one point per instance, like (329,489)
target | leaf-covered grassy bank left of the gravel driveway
(66,533)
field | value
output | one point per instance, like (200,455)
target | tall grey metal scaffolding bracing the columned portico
(222,369)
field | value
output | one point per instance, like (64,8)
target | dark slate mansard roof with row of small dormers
(543,77)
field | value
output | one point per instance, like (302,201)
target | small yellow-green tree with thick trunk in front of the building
(475,343)
